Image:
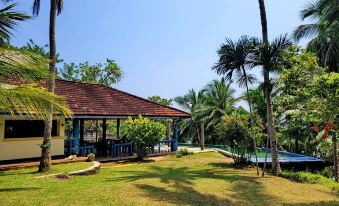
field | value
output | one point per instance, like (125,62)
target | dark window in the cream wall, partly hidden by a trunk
(27,128)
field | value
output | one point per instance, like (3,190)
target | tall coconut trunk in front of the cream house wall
(45,161)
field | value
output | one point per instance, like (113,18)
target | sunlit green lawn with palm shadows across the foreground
(199,179)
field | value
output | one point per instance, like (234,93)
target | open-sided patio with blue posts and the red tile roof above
(104,107)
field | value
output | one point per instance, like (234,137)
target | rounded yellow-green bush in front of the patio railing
(144,133)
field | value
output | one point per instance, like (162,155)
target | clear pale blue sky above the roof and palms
(164,47)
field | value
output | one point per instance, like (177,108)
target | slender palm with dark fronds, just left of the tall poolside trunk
(233,58)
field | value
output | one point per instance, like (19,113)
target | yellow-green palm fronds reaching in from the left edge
(20,64)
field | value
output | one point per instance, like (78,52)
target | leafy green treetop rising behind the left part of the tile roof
(106,74)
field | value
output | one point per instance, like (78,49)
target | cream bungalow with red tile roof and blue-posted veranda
(21,137)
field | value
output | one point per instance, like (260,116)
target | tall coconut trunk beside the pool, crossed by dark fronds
(276,170)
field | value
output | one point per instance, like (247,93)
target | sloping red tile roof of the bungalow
(86,99)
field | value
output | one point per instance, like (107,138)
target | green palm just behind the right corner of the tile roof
(190,102)
